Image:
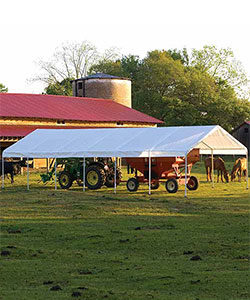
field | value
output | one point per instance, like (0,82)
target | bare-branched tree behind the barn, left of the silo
(71,61)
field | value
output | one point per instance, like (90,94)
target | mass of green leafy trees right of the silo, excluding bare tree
(166,85)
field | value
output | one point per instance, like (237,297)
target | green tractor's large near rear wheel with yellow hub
(95,177)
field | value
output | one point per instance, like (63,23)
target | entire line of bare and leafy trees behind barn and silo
(180,87)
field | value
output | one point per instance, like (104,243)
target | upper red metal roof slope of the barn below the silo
(69,108)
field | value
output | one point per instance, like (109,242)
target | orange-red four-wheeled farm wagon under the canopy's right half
(170,170)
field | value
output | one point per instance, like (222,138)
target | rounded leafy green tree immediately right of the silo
(159,79)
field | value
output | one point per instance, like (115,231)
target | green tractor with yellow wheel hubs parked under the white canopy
(98,172)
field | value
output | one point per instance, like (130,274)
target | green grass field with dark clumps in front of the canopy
(100,245)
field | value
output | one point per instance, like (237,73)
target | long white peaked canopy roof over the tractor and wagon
(125,142)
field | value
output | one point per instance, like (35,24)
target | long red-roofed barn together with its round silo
(100,101)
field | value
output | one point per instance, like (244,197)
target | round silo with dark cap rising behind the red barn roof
(104,86)
